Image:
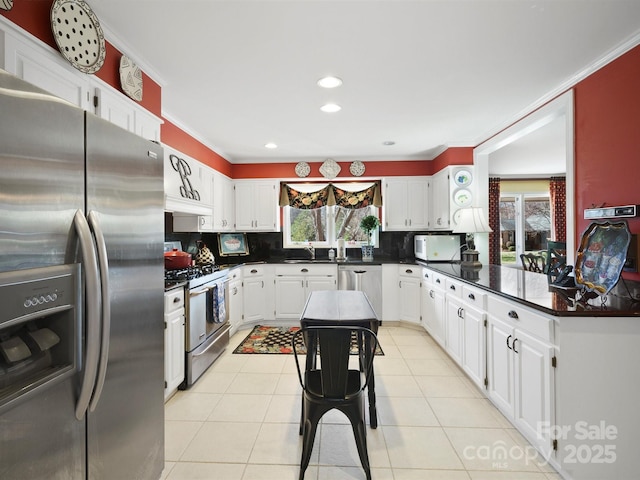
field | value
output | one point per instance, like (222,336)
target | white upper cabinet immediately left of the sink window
(256,203)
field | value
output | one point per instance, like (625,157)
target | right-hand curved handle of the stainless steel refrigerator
(103,262)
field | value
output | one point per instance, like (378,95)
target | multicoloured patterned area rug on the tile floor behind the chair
(263,339)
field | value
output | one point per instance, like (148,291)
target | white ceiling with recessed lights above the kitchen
(425,74)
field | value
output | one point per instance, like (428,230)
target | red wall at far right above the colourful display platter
(607,139)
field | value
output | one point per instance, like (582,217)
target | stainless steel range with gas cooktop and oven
(207,317)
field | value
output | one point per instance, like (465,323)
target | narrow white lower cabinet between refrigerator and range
(174,346)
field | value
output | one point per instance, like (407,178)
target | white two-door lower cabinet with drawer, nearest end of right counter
(520,370)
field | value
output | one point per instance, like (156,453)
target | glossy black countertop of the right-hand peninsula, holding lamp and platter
(531,289)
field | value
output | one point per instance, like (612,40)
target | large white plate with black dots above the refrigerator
(78,34)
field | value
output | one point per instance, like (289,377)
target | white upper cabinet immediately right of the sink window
(405,203)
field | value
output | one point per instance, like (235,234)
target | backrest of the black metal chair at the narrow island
(333,350)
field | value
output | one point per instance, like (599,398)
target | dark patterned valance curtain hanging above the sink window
(346,195)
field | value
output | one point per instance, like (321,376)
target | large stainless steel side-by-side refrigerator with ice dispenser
(81,293)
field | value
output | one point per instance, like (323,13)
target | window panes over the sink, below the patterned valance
(321,227)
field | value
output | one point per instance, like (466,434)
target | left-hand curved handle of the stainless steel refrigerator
(92,308)
